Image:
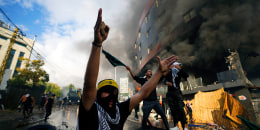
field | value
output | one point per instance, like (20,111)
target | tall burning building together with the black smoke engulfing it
(201,34)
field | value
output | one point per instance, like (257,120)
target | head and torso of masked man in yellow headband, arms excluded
(108,113)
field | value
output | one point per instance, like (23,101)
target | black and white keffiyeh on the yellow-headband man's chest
(104,118)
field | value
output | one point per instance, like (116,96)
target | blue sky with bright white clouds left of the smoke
(64,30)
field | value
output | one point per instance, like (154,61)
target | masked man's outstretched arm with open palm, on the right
(149,86)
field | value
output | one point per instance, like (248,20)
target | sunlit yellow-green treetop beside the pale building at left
(33,72)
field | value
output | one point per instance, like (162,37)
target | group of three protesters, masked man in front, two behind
(99,108)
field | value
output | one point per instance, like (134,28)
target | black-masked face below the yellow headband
(107,98)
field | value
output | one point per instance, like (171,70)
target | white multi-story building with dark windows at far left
(22,48)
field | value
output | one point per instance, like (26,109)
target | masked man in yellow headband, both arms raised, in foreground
(99,108)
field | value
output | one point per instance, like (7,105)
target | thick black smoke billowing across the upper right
(227,25)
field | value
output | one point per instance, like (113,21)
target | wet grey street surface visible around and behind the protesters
(66,119)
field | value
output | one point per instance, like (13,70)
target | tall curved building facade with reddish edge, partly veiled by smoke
(157,34)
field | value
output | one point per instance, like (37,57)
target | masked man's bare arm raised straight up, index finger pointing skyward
(91,74)
